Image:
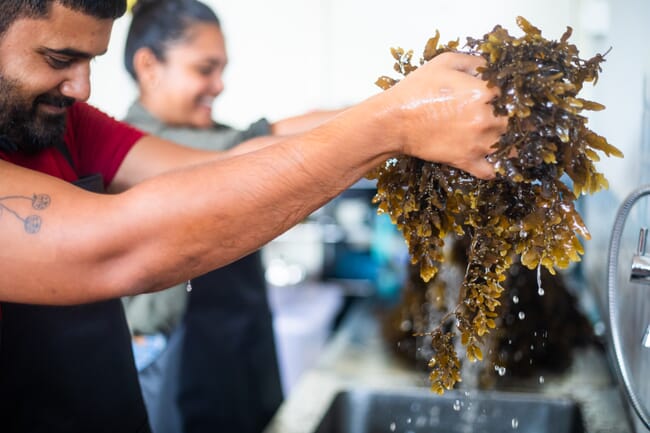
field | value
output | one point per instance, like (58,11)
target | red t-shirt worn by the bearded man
(97,143)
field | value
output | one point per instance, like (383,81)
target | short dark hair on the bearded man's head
(11,10)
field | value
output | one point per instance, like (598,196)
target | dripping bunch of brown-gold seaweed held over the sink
(543,163)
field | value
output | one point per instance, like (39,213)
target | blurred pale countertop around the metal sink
(357,356)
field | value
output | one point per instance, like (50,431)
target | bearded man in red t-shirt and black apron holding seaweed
(67,255)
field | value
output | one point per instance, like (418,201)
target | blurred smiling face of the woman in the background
(186,82)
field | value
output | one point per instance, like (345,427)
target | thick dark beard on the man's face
(22,127)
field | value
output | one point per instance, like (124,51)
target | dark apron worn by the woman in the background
(229,376)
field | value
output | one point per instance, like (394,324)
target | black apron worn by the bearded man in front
(69,369)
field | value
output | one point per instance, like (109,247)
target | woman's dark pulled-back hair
(157,24)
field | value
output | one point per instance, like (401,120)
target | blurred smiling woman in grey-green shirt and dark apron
(219,366)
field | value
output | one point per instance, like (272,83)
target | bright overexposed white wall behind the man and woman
(288,56)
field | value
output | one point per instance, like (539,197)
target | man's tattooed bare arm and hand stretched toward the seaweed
(62,245)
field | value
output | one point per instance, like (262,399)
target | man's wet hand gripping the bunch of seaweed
(445,115)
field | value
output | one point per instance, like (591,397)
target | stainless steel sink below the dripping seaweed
(420,411)
